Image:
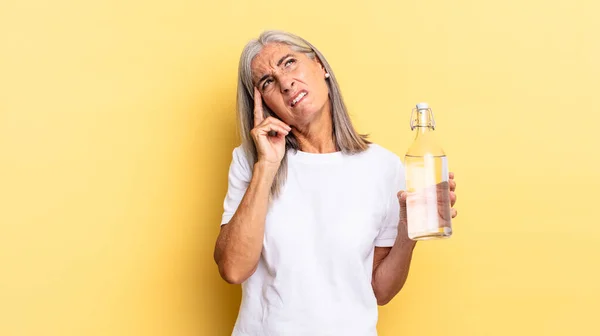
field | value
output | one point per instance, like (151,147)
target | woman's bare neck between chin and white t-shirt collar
(317,136)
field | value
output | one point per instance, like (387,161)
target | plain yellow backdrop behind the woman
(117,125)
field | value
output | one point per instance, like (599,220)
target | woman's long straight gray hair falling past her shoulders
(345,136)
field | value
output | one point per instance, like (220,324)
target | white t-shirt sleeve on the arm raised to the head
(239,178)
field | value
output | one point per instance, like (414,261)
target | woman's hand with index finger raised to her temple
(268,134)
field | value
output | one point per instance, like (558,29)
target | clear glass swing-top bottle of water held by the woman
(428,192)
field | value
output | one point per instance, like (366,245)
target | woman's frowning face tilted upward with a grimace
(292,84)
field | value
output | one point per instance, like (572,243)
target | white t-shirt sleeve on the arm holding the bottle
(389,227)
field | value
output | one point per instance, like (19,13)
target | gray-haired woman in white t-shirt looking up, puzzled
(311,217)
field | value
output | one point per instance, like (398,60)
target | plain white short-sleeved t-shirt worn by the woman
(314,273)
